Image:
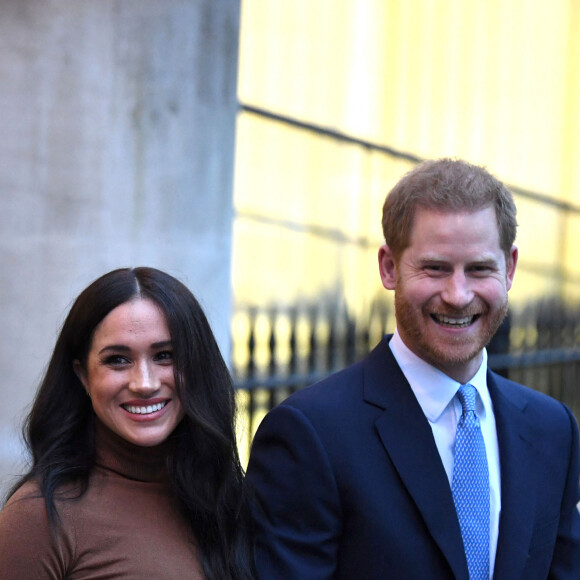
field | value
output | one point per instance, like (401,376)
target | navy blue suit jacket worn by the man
(349,484)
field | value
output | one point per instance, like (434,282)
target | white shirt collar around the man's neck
(433,389)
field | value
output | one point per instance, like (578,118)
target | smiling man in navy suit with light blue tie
(419,463)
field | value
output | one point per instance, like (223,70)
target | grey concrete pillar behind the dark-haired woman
(117,120)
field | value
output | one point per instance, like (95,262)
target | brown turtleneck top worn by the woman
(125,526)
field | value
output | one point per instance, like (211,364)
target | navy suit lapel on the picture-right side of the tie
(518,486)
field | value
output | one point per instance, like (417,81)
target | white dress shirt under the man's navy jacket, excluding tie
(435,392)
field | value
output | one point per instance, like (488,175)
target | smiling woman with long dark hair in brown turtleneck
(135,471)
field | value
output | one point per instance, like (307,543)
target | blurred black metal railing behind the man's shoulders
(286,349)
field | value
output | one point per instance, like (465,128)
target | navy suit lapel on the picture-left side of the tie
(408,440)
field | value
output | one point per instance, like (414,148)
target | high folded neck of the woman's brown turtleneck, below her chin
(133,461)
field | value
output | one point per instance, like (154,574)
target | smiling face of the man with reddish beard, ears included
(451,286)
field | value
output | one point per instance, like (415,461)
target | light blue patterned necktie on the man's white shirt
(470,486)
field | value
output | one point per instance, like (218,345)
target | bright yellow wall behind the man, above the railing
(495,82)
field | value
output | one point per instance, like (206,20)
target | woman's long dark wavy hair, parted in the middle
(205,471)
